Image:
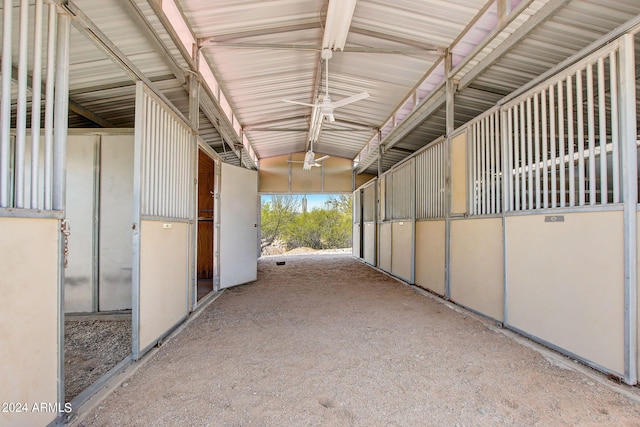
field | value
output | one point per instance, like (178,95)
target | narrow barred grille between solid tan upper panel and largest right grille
(485,165)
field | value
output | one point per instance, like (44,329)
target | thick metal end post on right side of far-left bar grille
(61,111)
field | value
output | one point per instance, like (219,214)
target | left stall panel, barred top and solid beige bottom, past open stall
(162,220)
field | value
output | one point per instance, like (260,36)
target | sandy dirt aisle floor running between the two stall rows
(327,341)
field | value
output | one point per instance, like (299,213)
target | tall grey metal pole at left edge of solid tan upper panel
(449,130)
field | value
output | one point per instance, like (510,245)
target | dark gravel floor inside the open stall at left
(92,348)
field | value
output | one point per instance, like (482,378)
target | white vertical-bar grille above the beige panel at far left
(30,164)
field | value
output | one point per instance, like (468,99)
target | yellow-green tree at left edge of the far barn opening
(276,216)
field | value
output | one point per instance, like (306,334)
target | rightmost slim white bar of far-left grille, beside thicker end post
(49,106)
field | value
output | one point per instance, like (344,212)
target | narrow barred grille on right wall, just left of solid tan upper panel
(430,182)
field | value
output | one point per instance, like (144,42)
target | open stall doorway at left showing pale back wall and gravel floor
(98,254)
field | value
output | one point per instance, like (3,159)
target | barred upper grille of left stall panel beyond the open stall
(166,159)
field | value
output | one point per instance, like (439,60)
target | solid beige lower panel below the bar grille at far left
(29,316)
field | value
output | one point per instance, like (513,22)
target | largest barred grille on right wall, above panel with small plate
(562,138)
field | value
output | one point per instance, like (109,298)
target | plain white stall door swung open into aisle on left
(238,226)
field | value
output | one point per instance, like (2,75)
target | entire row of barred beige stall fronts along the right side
(527,214)
